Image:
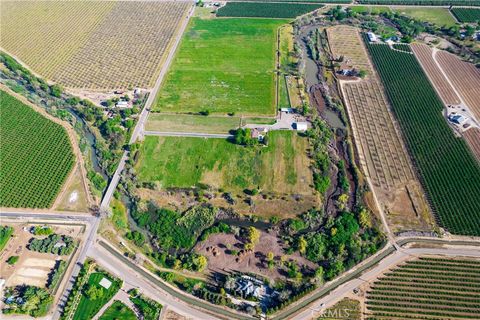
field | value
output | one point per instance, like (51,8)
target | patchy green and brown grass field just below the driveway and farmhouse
(283,166)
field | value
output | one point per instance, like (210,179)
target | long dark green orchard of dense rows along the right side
(447,169)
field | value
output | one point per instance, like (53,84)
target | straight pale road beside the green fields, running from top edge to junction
(138,130)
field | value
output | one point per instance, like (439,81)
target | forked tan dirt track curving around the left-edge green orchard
(74,144)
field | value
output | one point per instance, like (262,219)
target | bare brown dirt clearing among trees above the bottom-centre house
(248,261)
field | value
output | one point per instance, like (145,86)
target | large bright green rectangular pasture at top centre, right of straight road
(223,65)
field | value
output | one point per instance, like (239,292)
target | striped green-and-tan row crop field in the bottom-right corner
(427,288)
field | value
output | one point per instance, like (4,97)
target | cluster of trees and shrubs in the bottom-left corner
(26,299)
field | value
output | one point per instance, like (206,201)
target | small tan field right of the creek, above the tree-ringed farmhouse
(345,40)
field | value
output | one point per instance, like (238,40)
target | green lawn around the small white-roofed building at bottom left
(88,308)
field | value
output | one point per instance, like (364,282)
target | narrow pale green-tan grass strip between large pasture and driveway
(191,123)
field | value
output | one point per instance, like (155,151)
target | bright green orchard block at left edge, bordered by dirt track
(36,156)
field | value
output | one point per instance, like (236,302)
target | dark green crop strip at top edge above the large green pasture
(265,9)
